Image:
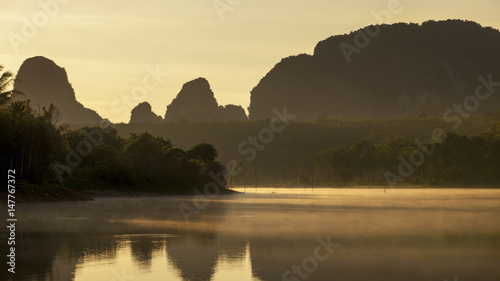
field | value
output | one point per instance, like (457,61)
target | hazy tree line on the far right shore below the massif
(457,160)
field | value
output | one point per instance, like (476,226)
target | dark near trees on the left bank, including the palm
(49,156)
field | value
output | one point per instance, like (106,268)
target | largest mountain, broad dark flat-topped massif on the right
(384,71)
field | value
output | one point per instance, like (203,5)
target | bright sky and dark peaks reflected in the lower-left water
(145,257)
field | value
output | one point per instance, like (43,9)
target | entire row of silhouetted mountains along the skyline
(381,71)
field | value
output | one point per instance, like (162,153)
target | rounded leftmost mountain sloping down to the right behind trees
(43,82)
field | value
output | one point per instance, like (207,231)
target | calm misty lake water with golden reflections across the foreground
(268,234)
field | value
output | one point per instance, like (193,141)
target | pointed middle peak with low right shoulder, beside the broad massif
(196,102)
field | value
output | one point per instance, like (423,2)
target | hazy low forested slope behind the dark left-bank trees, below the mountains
(293,151)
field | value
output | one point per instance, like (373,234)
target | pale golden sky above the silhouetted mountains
(107,46)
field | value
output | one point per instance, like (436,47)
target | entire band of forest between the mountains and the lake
(324,152)
